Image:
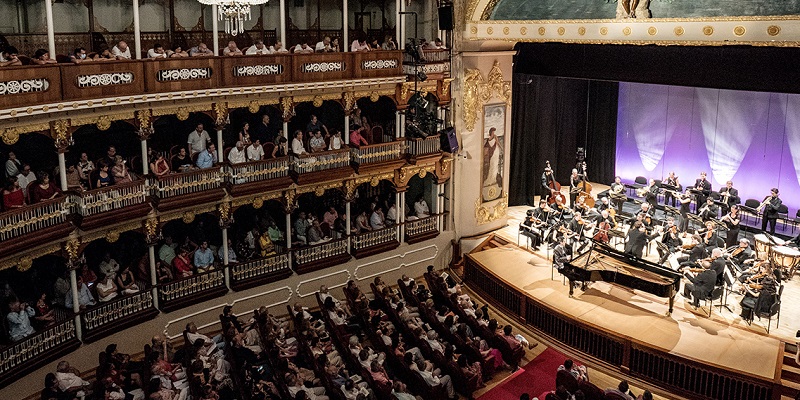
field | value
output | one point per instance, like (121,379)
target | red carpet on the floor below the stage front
(538,376)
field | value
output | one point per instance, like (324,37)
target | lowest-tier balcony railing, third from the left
(191,290)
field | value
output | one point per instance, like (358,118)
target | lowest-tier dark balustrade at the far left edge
(38,348)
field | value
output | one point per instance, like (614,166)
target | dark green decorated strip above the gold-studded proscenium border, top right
(640,9)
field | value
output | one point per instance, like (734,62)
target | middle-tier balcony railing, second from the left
(96,201)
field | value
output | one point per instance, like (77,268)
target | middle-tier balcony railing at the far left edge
(34,217)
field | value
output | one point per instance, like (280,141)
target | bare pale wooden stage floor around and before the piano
(639,316)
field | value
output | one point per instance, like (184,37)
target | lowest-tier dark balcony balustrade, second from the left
(117,314)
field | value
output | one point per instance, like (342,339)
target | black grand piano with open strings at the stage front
(603,263)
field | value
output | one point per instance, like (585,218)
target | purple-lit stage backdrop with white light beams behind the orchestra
(751,138)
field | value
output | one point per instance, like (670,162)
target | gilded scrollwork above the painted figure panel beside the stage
(478,91)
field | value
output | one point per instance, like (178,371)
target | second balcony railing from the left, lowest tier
(116,311)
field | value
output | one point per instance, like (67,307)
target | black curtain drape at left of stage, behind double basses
(551,118)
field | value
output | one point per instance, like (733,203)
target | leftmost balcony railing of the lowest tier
(30,348)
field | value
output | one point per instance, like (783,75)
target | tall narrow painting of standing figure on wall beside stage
(494,134)
